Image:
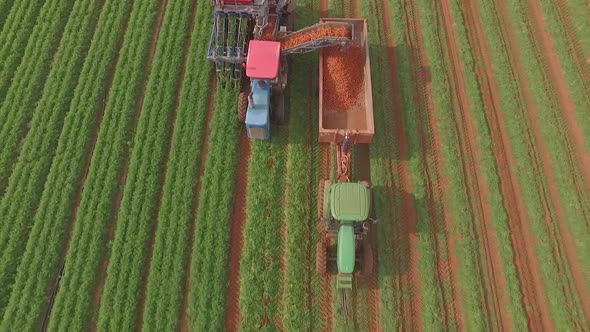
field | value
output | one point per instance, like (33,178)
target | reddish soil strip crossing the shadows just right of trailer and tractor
(406,240)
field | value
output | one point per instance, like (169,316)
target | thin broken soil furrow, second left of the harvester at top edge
(124,172)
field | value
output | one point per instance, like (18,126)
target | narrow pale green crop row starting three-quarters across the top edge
(489,168)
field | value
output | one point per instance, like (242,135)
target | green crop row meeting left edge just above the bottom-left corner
(26,183)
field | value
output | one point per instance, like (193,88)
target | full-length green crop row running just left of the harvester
(168,267)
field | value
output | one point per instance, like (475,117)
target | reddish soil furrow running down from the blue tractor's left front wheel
(237,223)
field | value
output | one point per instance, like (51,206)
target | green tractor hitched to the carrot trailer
(344,209)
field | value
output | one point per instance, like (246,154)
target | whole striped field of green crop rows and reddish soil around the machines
(131,197)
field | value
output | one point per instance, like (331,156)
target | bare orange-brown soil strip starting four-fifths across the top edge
(521,235)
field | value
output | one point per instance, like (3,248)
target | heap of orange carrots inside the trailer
(343,70)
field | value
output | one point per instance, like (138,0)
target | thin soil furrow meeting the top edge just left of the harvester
(180,84)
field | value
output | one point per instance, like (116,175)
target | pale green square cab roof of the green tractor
(350,201)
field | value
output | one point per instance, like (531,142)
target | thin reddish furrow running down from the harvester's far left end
(184,323)
